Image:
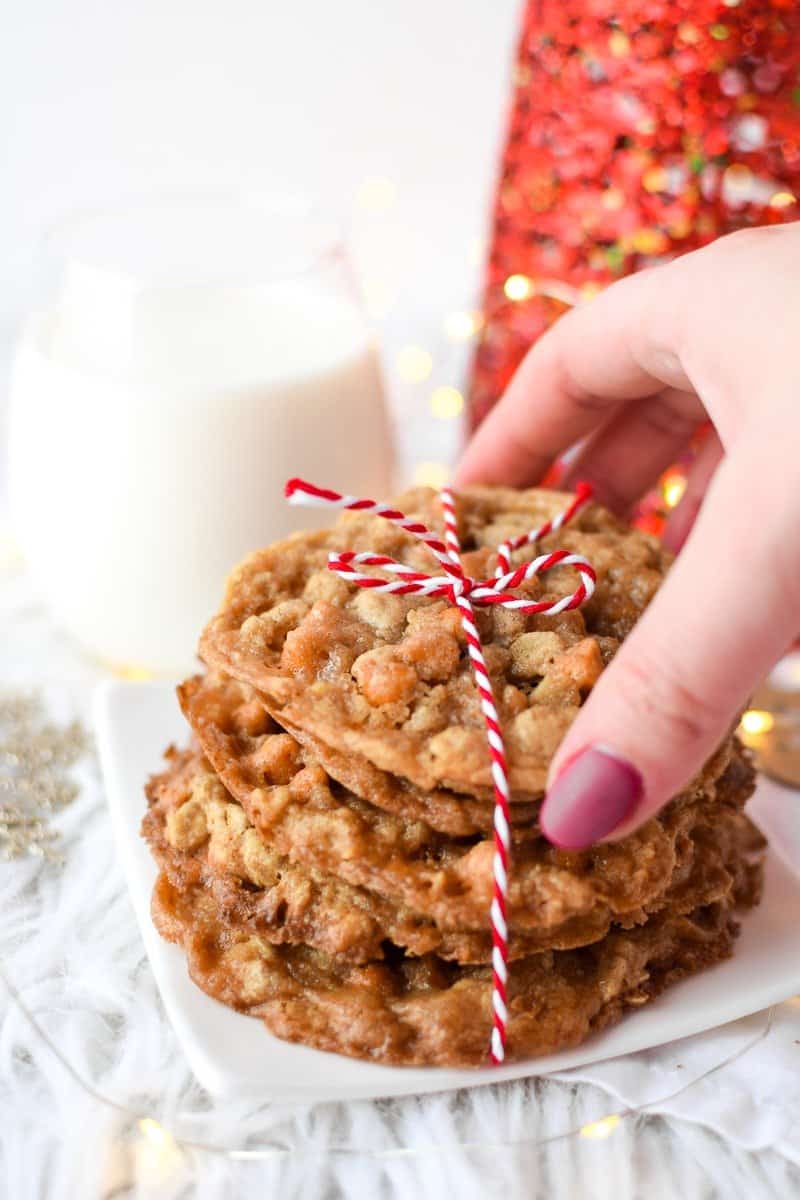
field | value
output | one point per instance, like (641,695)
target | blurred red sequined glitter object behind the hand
(640,130)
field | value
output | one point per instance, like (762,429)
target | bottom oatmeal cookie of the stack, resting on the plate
(426,1011)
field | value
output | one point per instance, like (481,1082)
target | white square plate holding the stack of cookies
(232,1054)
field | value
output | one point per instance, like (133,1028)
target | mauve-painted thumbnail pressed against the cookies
(597,793)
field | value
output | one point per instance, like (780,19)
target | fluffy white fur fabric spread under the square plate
(69,943)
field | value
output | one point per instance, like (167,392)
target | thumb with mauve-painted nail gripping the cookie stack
(671,695)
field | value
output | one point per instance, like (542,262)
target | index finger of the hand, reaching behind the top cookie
(593,362)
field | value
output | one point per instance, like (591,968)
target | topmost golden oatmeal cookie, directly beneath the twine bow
(389,679)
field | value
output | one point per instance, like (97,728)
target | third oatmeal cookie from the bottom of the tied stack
(303,814)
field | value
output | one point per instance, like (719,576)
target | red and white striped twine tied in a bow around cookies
(466,593)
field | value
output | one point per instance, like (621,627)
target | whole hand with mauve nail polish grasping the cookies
(713,335)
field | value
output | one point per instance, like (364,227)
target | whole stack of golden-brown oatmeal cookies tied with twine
(326,843)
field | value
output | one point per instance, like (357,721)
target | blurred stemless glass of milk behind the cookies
(197,355)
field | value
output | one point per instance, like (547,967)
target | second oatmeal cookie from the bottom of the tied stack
(201,837)
